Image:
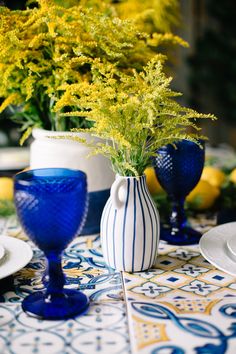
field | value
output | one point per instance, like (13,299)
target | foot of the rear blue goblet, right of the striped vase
(186,236)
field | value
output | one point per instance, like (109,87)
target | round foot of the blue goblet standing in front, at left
(71,304)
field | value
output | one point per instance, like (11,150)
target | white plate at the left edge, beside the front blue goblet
(17,254)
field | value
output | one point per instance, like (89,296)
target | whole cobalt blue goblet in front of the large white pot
(51,204)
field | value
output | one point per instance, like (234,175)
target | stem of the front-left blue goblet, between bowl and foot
(56,279)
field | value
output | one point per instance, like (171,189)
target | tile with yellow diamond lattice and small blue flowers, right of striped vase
(184,272)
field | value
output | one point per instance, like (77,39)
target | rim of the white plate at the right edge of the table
(205,255)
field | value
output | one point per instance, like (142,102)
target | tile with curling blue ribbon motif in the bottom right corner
(183,326)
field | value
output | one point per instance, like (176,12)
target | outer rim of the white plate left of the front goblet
(23,263)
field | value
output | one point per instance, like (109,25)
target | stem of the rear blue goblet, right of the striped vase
(178,218)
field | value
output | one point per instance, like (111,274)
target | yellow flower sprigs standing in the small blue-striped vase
(134,113)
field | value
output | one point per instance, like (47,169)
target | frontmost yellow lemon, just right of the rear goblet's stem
(203,196)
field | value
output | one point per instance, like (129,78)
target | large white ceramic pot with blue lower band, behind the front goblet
(45,151)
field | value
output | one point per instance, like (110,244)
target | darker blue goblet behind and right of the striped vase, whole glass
(178,168)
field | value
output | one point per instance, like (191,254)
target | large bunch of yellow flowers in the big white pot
(47,46)
